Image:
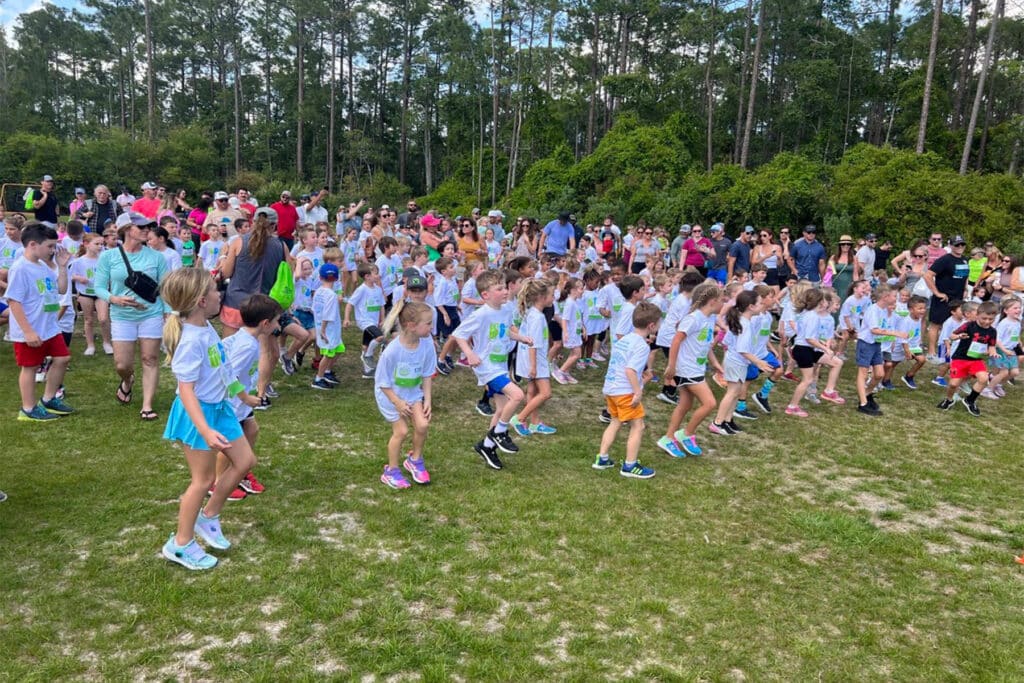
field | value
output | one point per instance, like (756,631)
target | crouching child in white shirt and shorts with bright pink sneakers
(403,392)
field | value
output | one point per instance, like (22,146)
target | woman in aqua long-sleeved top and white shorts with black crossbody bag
(133,318)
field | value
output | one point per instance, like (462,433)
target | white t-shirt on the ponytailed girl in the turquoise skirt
(200,358)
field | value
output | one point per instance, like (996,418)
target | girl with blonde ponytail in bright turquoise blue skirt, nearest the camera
(202,417)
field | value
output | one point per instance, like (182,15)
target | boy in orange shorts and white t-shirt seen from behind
(624,392)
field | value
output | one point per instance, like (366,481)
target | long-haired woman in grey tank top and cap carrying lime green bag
(251,264)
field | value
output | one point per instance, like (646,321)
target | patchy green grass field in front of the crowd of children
(835,548)
